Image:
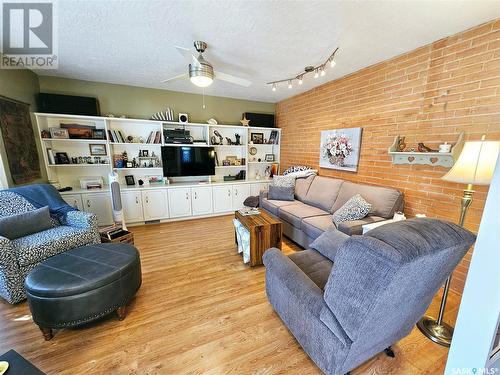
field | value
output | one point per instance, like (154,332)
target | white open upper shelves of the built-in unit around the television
(68,174)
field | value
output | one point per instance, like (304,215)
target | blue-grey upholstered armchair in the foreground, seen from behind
(365,294)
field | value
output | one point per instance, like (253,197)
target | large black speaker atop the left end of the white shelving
(68,104)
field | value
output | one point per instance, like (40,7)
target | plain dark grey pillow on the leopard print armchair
(26,223)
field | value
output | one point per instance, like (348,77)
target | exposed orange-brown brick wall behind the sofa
(429,95)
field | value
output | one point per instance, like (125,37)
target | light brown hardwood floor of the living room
(199,311)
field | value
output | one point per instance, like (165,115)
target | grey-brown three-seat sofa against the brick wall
(318,197)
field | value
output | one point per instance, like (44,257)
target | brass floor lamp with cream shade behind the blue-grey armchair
(474,166)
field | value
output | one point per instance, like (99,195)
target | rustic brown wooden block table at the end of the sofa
(265,232)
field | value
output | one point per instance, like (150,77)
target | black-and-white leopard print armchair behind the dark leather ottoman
(21,255)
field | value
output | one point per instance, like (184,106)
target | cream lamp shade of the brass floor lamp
(476,163)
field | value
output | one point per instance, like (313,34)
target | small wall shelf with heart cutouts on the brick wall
(442,159)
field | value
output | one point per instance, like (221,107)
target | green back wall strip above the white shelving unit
(142,102)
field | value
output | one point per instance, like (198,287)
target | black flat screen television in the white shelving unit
(181,161)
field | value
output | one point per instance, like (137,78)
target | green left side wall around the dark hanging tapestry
(20,85)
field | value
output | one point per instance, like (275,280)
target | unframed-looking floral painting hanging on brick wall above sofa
(340,148)
